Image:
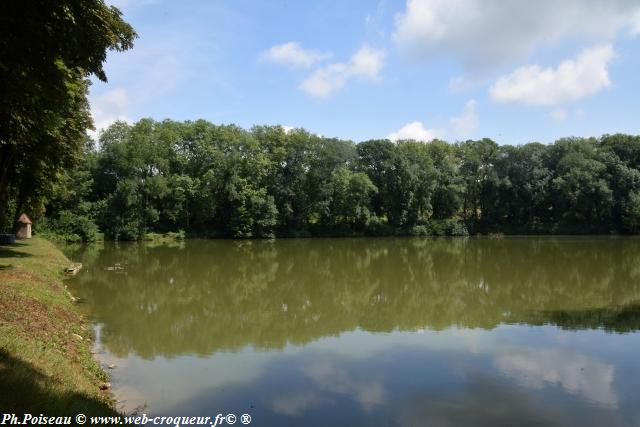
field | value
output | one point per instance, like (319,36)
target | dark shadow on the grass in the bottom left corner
(25,389)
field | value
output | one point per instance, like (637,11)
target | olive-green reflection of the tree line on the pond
(224,295)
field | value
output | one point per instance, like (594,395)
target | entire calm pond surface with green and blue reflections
(424,332)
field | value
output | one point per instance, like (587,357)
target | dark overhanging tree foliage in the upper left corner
(48,49)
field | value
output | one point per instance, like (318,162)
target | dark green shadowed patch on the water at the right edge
(620,319)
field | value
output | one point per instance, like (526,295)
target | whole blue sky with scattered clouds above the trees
(515,71)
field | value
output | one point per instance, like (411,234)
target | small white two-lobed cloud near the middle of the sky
(365,63)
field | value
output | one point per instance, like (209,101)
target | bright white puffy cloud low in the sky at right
(571,80)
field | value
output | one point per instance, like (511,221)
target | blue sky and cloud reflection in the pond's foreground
(416,385)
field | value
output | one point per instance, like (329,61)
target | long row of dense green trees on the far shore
(227,181)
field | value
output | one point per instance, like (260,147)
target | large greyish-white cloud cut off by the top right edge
(486,33)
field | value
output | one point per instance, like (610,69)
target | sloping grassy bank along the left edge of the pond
(46,365)
